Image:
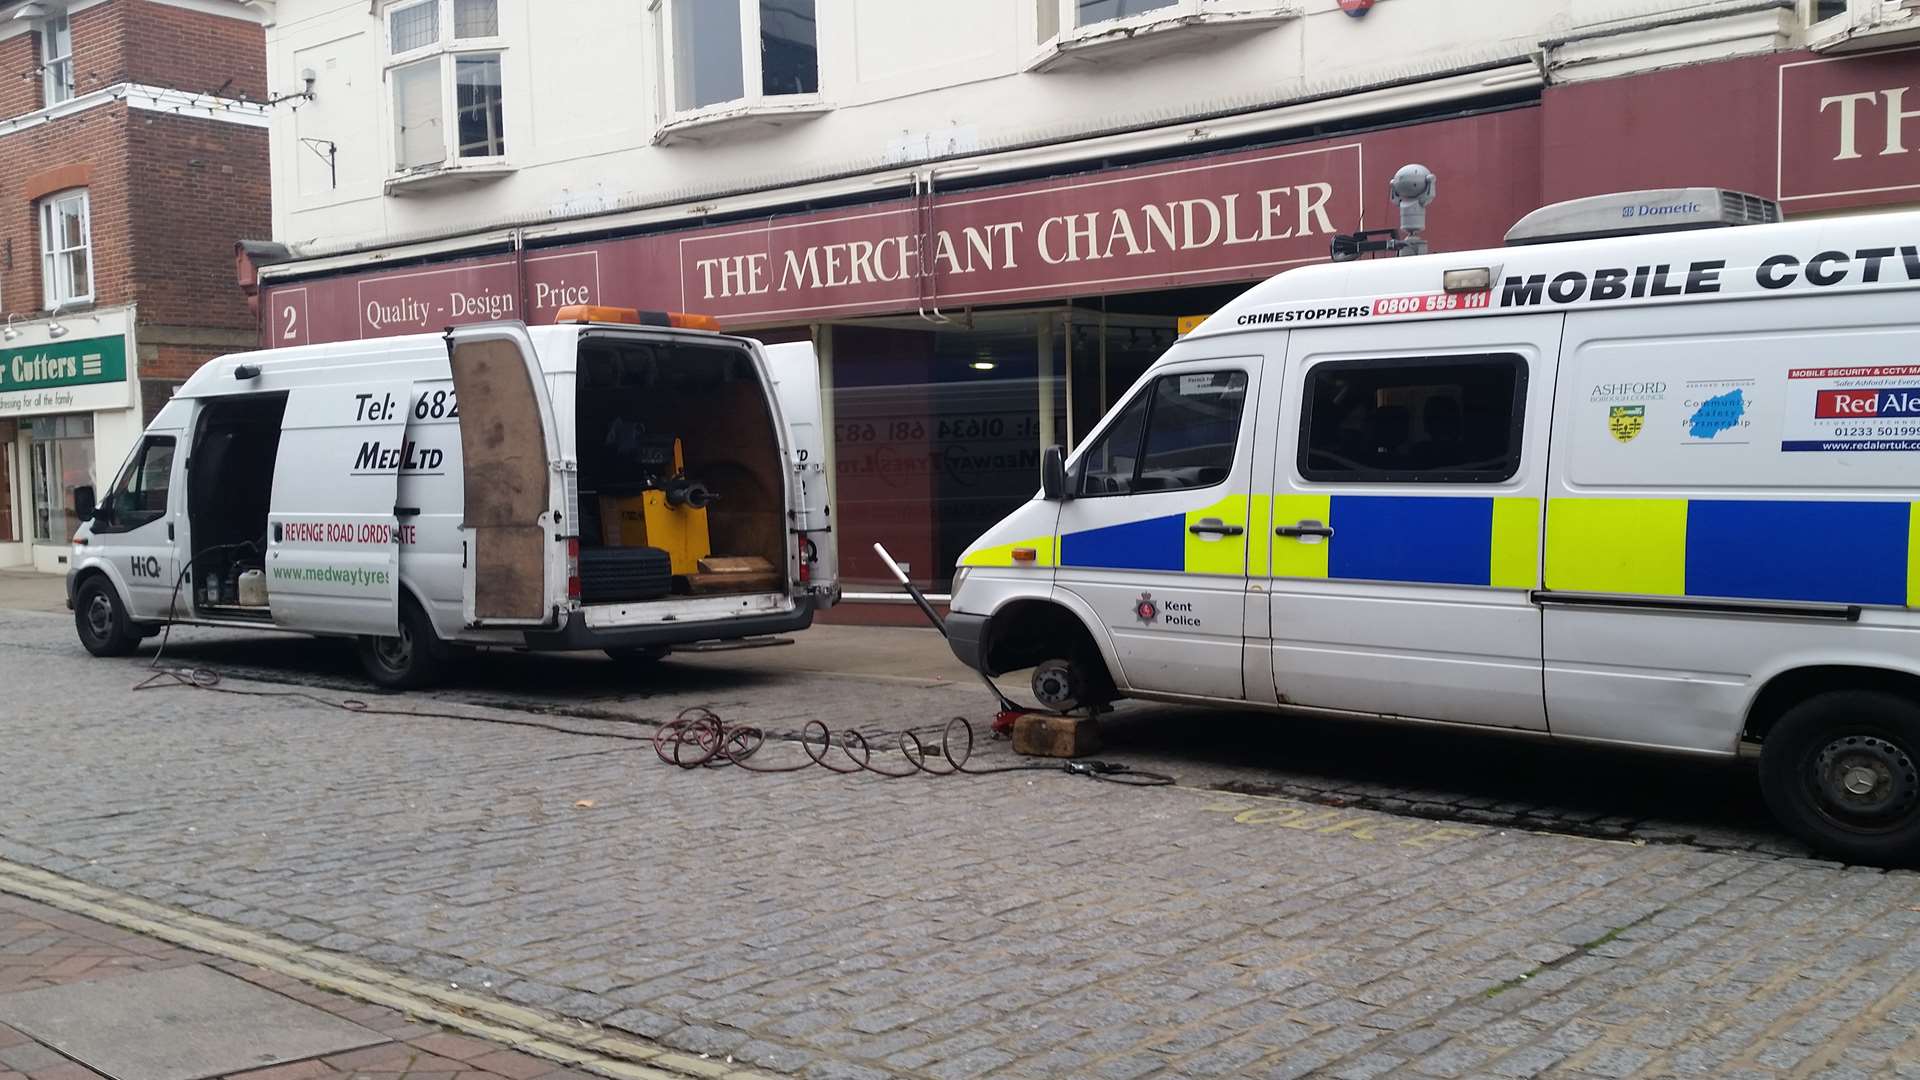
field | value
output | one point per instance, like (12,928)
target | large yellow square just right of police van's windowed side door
(1629,547)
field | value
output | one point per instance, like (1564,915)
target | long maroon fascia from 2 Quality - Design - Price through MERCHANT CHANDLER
(1207,220)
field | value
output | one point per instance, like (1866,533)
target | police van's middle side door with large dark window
(1406,520)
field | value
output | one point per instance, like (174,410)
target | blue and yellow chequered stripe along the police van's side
(1798,551)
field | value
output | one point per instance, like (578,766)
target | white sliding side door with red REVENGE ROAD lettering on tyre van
(333,549)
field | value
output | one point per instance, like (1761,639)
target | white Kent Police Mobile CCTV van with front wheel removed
(1654,491)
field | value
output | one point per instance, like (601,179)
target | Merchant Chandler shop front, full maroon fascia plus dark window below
(963,333)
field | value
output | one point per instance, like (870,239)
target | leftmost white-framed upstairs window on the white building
(444,68)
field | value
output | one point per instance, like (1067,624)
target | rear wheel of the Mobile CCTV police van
(1842,772)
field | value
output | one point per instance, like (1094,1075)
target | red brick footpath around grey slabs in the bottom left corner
(41,946)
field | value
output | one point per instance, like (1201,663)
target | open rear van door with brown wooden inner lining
(516,560)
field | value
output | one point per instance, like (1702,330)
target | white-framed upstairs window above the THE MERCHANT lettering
(742,51)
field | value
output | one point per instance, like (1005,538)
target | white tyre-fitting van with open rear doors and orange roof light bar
(443,491)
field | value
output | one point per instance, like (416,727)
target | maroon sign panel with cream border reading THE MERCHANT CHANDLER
(1186,224)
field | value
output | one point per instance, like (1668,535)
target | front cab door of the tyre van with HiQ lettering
(137,526)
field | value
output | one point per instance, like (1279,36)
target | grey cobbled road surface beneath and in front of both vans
(1026,925)
